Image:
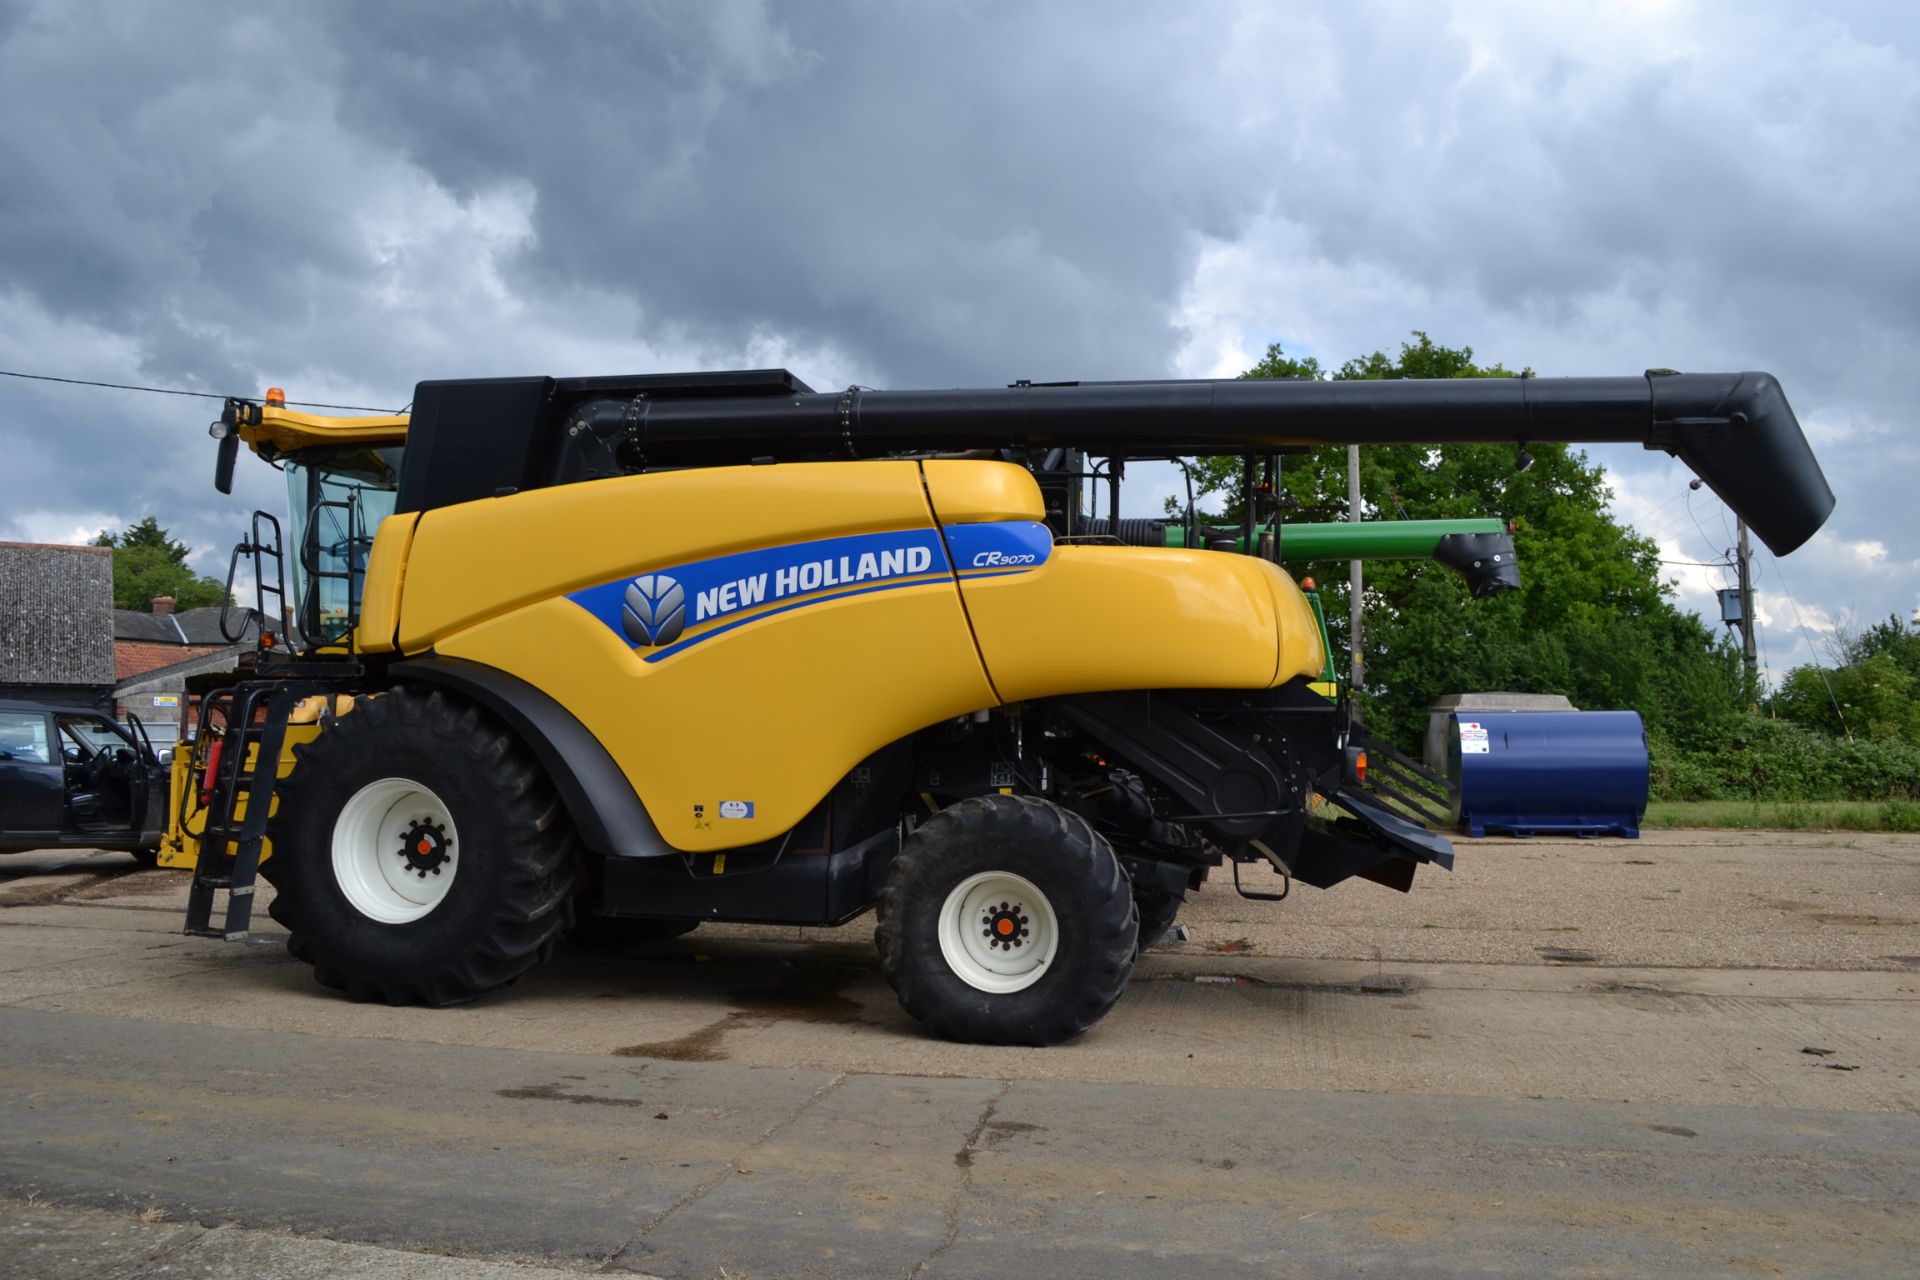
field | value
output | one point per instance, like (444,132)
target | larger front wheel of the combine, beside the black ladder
(420,853)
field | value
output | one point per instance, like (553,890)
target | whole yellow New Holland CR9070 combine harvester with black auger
(721,648)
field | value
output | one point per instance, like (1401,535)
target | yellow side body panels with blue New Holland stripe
(742,638)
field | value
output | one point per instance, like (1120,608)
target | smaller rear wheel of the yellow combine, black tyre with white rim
(1007,920)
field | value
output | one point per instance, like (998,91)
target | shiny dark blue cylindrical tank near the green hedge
(1548,772)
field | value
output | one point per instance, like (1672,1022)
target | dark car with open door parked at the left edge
(70,778)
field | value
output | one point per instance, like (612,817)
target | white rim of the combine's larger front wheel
(372,841)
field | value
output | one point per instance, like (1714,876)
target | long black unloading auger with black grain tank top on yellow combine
(1735,431)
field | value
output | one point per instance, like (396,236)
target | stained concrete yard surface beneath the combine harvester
(1689,1055)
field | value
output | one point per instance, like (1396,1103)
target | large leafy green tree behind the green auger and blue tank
(1595,623)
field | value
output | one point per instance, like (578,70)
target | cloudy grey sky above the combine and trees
(348,199)
